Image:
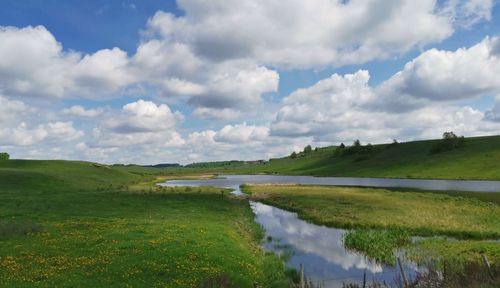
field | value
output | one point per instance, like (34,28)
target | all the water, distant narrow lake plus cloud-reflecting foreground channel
(320,248)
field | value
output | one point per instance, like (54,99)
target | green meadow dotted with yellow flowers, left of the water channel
(80,224)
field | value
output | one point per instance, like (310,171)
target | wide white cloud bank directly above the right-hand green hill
(344,108)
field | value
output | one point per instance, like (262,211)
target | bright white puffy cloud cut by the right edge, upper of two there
(449,75)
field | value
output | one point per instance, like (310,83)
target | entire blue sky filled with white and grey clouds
(186,81)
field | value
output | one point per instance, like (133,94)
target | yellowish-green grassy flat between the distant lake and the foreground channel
(406,213)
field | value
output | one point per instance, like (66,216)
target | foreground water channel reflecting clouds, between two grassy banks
(319,249)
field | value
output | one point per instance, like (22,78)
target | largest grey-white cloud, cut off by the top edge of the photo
(310,33)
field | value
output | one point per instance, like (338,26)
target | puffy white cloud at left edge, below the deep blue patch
(33,63)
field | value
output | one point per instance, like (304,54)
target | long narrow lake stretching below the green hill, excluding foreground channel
(234,181)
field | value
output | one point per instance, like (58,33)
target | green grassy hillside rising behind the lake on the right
(477,158)
